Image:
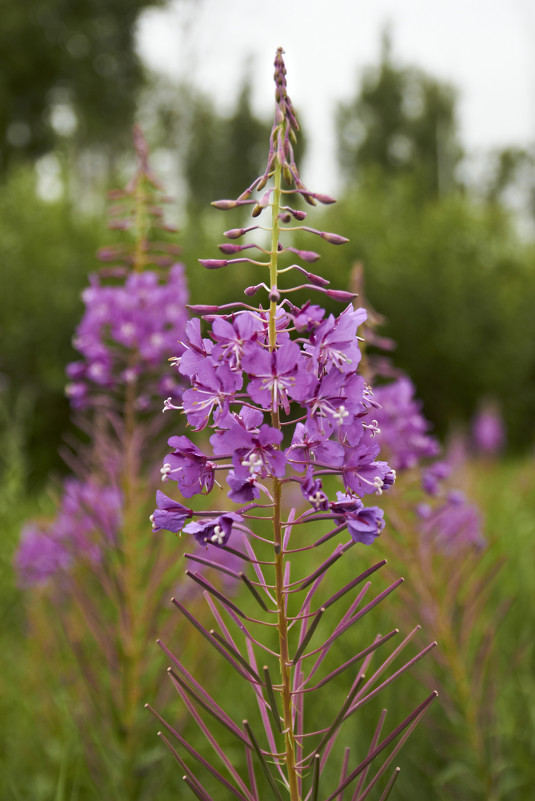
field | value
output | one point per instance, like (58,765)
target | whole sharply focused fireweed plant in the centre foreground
(290,414)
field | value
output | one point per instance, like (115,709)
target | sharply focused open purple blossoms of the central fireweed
(238,385)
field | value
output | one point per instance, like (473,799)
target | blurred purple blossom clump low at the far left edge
(87,522)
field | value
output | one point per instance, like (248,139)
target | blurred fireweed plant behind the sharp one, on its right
(437,541)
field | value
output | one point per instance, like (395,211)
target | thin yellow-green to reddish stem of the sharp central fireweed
(282,623)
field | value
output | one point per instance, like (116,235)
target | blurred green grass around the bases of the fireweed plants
(42,755)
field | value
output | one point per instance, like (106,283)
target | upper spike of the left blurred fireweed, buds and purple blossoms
(135,307)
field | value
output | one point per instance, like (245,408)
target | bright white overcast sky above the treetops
(485,47)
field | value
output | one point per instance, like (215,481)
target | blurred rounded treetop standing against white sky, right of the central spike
(402,121)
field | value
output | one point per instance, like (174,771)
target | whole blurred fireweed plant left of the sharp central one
(91,574)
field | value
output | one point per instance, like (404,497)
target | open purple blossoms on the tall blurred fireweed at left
(125,335)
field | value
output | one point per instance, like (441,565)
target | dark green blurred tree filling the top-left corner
(65,66)
